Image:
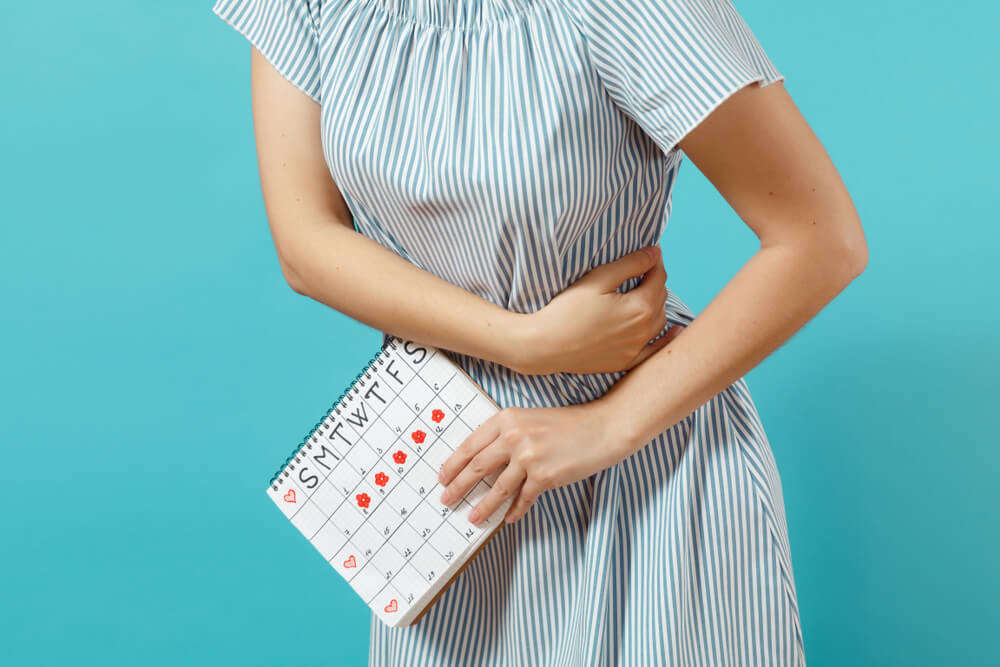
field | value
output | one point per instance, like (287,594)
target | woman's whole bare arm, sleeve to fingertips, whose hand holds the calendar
(759,152)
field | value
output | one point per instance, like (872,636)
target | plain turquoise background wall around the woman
(156,368)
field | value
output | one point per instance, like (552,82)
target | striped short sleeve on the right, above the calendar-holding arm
(669,63)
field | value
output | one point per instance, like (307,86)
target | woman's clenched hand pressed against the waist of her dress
(591,327)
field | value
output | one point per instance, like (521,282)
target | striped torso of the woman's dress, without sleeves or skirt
(477,141)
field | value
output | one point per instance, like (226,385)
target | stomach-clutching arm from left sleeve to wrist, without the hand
(322,257)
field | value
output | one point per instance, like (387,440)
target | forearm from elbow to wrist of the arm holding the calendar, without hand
(770,298)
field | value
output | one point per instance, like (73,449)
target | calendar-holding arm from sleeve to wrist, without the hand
(764,159)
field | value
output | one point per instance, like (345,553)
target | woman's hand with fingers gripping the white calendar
(542,448)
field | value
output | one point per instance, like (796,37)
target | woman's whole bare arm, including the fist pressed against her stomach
(590,327)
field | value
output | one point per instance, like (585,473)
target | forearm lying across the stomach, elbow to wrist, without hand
(354,275)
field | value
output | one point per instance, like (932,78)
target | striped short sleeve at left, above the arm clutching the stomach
(286,32)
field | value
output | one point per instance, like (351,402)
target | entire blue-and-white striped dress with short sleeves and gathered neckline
(509,147)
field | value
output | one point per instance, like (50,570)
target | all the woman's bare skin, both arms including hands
(756,148)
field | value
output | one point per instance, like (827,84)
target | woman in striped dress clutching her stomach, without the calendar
(486,177)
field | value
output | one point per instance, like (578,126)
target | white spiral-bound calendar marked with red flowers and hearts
(362,487)
